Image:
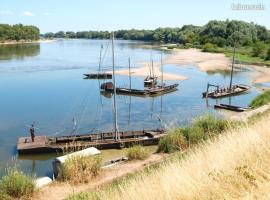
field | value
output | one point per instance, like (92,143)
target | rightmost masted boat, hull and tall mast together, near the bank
(230,90)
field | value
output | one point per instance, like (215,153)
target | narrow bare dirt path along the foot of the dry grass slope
(59,191)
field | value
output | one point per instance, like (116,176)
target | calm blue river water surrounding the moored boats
(43,83)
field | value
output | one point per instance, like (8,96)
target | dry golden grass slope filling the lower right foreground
(235,165)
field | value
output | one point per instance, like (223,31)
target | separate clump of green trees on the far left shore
(18,32)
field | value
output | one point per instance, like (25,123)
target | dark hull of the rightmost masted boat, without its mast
(224,92)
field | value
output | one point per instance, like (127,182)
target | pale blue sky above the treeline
(77,15)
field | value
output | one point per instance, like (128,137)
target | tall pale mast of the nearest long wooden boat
(114,95)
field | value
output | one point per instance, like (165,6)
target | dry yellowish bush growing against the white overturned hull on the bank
(80,169)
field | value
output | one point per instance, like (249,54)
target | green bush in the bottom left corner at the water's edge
(16,184)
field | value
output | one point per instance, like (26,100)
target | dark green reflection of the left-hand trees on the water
(19,51)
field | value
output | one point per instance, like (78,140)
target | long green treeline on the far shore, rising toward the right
(220,33)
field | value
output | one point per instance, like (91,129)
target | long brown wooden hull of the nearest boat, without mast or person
(44,144)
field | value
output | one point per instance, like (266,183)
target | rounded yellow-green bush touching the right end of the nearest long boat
(172,142)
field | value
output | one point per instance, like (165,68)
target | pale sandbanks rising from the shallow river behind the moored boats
(203,60)
